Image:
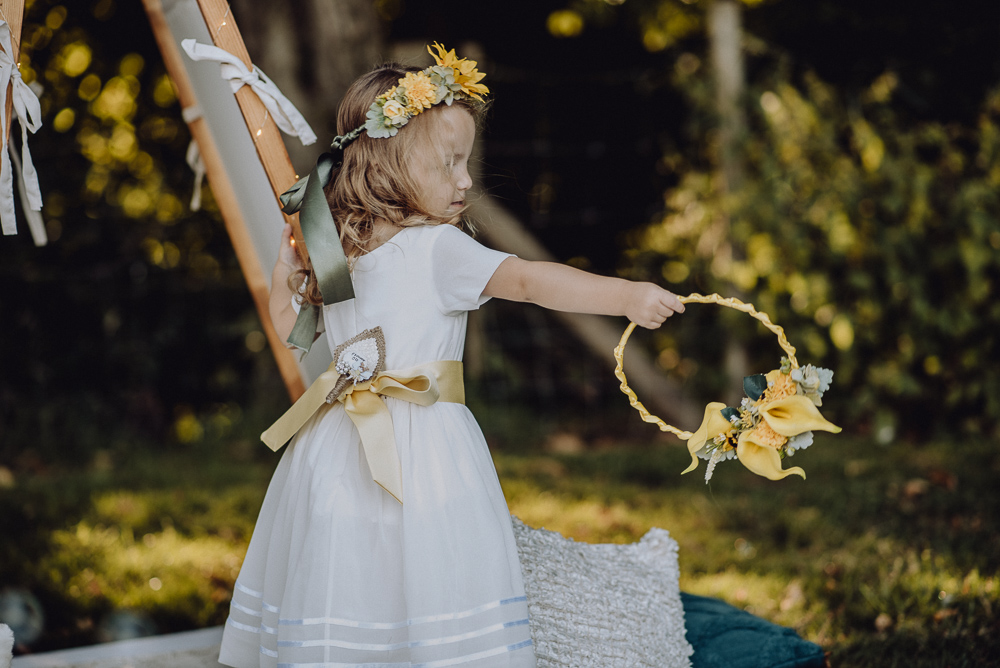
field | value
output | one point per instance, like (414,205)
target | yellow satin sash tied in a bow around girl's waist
(423,384)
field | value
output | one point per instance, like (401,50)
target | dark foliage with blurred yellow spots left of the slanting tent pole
(135,317)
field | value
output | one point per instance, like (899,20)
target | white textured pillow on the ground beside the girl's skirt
(603,606)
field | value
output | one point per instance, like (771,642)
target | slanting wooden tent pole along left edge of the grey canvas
(225,196)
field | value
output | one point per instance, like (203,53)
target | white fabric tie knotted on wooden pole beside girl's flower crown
(233,70)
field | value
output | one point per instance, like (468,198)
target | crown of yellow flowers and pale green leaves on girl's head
(452,78)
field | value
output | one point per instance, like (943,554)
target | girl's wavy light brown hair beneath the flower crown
(374,183)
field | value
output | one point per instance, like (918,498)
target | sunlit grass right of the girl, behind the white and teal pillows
(886,557)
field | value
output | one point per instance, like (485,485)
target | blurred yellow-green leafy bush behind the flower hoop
(874,241)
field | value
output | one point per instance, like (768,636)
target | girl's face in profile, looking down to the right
(441,164)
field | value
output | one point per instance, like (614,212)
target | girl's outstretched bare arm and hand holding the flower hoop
(563,288)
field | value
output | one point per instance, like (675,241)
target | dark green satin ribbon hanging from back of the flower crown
(319,231)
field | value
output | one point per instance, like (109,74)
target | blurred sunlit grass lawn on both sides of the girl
(884,556)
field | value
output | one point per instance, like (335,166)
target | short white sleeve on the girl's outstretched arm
(461,268)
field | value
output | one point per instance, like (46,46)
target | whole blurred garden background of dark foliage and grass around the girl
(849,190)
